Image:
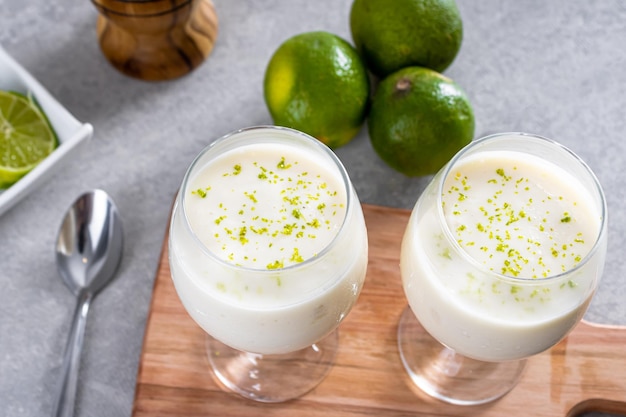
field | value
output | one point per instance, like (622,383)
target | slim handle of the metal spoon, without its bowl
(65,401)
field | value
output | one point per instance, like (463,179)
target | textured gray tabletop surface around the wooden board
(553,68)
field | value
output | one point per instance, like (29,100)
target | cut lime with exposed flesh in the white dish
(26,137)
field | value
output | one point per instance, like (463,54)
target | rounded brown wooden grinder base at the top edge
(156,40)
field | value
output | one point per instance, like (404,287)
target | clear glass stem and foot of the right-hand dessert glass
(449,376)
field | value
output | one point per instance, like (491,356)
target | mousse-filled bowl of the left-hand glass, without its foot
(270,251)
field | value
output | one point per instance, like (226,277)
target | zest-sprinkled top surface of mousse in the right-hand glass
(519,216)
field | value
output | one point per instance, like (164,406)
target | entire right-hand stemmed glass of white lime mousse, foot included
(500,259)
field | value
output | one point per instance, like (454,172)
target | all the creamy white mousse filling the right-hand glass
(494,285)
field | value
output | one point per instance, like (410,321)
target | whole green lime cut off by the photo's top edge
(391,35)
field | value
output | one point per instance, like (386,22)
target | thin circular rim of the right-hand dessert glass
(445,172)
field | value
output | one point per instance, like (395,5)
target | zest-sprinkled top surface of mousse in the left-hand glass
(265,206)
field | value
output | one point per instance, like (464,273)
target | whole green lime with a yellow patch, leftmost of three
(317,83)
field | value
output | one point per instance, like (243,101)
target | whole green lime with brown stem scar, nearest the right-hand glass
(418,120)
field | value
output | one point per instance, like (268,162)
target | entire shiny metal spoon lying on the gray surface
(88,252)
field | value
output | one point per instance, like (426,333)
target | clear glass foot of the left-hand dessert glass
(272,378)
